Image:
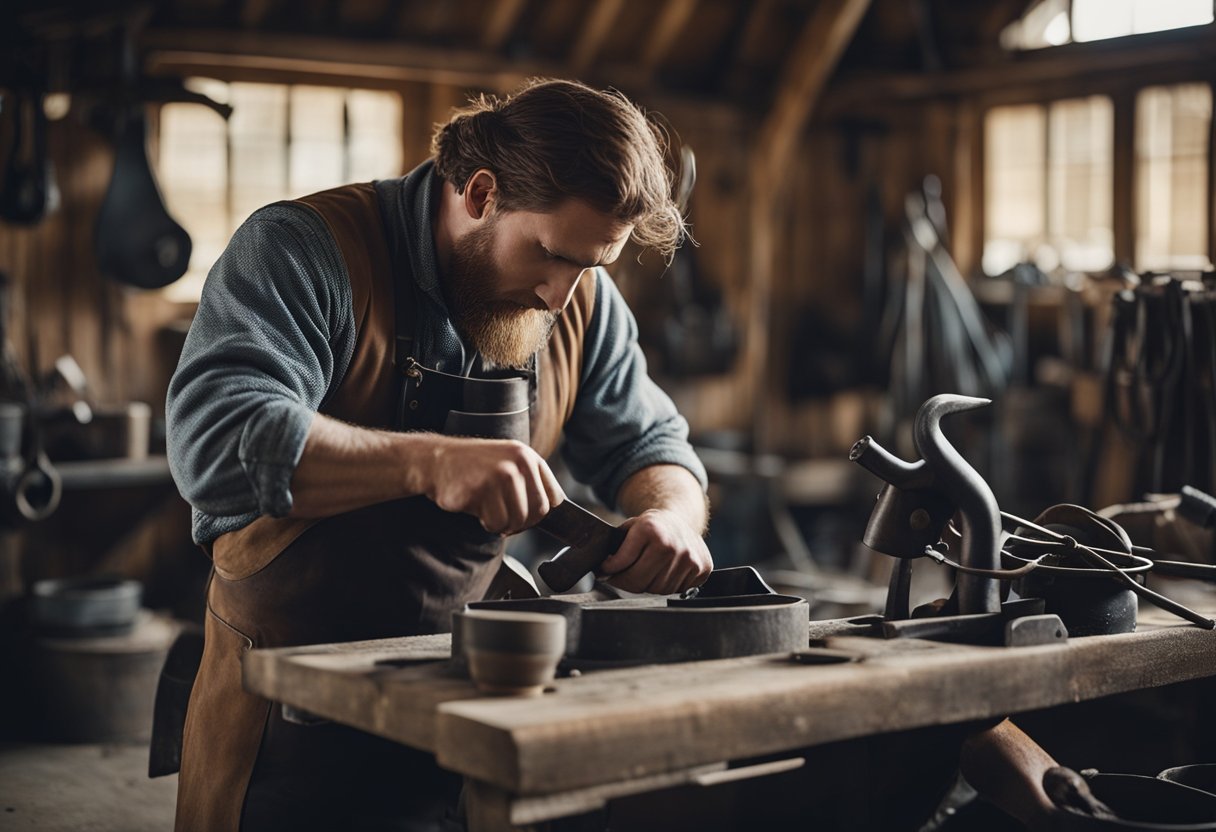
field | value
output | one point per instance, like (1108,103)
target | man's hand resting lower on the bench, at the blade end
(662,554)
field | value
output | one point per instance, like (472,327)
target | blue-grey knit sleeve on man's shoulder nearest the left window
(273,331)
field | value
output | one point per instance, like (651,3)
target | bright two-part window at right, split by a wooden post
(1049,183)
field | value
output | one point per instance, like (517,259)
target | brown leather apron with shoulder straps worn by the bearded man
(391,570)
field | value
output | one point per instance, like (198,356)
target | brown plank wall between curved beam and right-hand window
(823,257)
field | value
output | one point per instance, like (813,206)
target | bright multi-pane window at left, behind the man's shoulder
(282,142)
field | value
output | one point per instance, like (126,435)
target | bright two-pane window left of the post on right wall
(1048,185)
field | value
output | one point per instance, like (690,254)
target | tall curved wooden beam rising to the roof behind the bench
(819,48)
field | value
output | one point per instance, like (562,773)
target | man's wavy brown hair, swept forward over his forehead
(555,140)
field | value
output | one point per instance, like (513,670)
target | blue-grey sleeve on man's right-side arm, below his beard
(623,421)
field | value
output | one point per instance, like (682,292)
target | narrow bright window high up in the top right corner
(1059,23)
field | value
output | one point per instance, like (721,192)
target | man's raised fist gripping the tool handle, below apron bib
(504,484)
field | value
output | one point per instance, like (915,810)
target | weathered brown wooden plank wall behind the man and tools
(64,306)
